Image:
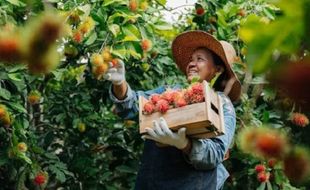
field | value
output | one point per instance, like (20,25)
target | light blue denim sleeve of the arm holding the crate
(208,153)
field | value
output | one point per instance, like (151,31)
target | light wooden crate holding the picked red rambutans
(202,120)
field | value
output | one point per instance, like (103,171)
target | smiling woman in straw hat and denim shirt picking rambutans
(186,163)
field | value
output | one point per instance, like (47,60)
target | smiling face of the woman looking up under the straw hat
(202,66)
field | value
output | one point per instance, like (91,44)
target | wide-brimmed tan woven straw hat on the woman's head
(184,45)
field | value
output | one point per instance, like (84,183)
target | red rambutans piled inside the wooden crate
(174,99)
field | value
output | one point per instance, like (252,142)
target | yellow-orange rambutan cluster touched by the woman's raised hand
(100,62)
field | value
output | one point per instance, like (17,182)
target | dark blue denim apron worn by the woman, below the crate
(165,168)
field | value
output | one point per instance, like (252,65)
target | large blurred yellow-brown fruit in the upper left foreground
(34,44)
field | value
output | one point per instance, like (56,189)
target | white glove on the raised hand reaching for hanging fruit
(116,74)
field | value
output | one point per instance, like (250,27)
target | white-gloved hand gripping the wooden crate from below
(162,134)
